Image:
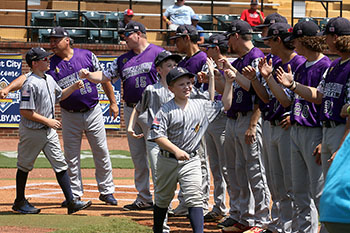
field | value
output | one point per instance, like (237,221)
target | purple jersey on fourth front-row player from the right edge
(243,101)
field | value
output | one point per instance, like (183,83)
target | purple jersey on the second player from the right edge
(304,112)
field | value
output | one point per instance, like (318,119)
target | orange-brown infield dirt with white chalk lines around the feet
(44,193)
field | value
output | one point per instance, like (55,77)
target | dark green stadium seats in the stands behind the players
(110,20)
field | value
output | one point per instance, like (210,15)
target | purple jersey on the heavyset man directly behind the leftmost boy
(65,73)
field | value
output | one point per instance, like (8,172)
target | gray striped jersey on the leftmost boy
(40,95)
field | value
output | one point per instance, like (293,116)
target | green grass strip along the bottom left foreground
(73,223)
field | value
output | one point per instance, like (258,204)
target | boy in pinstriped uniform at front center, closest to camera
(178,128)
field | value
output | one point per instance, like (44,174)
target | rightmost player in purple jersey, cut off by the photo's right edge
(332,92)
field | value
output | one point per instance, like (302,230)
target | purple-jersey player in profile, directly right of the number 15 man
(186,39)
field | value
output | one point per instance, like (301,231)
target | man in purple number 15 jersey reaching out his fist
(137,70)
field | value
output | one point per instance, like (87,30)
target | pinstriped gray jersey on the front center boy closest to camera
(184,127)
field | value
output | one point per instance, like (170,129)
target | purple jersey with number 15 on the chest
(137,71)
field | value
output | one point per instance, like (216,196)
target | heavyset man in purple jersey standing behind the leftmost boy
(80,113)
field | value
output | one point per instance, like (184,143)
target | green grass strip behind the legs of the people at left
(124,163)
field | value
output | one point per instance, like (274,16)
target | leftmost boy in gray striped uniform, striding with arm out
(38,131)
